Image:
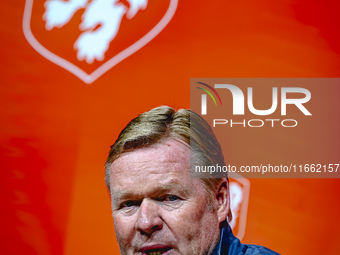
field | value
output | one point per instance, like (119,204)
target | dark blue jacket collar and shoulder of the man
(230,245)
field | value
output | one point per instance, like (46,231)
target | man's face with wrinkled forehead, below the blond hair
(157,207)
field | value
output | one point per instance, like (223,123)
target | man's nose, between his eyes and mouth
(149,219)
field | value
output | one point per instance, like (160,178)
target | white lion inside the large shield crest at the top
(100,22)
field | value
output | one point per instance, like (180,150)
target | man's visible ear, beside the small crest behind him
(222,197)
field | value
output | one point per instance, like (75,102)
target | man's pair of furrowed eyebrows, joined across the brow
(118,195)
